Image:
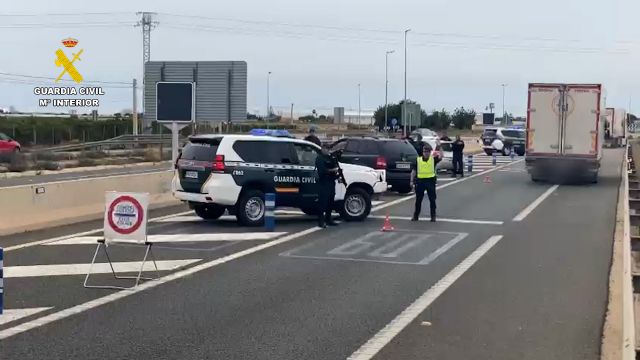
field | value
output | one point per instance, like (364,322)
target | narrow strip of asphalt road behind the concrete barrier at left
(89,174)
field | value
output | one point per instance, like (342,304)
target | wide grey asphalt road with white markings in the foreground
(475,285)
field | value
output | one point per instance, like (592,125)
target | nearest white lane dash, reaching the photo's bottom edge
(384,336)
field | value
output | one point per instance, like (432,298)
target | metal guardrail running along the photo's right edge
(630,296)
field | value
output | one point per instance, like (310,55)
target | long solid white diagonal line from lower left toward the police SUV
(147,285)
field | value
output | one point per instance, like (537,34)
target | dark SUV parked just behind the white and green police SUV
(392,155)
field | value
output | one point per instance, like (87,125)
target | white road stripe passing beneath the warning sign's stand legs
(98,268)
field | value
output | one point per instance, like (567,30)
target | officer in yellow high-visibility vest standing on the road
(423,178)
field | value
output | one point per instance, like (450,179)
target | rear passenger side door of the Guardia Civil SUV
(286,178)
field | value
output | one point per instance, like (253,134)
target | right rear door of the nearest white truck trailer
(581,120)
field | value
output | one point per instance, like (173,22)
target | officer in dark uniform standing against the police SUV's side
(327,168)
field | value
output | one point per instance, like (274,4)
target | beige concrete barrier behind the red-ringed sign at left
(38,206)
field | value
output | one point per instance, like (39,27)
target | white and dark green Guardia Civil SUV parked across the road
(215,173)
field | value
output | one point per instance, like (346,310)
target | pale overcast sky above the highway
(459,51)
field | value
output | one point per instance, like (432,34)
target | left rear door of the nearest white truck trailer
(544,119)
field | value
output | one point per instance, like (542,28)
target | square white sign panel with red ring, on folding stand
(125,216)
